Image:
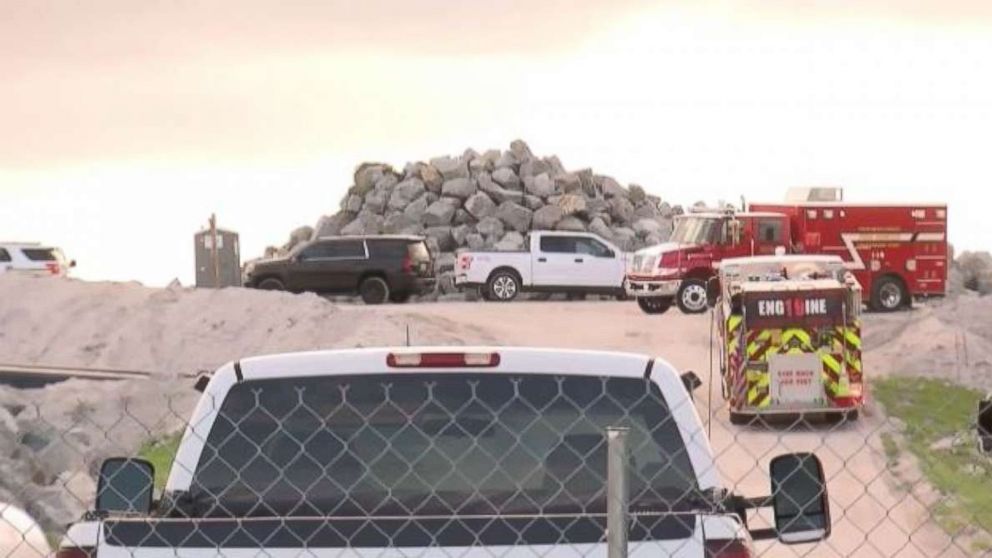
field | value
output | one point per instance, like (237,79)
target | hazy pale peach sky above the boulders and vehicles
(125,124)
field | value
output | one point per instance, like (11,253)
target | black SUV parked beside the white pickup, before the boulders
(379,268)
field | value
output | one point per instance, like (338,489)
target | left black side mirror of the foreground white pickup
(125,486)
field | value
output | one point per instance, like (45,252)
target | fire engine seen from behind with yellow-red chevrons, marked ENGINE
(790,336)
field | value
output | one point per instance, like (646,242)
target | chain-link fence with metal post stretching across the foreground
(488,463)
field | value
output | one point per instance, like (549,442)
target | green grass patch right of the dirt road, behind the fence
(935,411)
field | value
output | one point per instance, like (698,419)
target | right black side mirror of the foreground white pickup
(799,496)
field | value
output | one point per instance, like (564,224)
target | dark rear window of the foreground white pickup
(426,444)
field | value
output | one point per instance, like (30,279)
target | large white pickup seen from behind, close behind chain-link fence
(439,452)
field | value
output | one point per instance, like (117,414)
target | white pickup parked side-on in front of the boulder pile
(563,262)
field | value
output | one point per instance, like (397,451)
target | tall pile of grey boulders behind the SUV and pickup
(489,201)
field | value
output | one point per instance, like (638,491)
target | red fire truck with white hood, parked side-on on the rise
(896,251)
